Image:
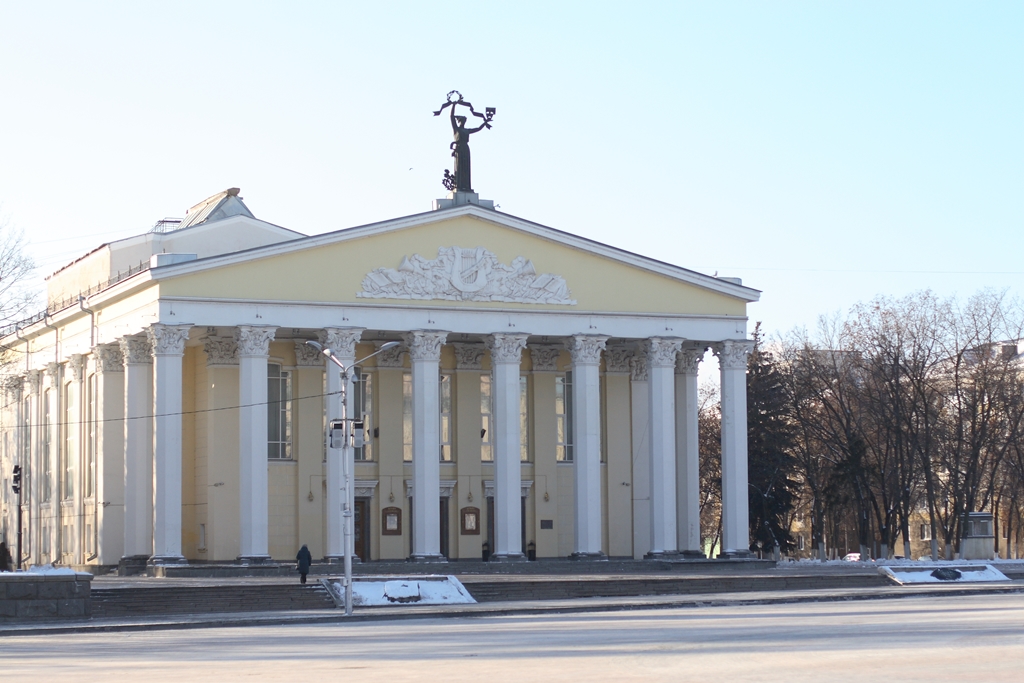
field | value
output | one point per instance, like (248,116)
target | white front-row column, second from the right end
(661,355)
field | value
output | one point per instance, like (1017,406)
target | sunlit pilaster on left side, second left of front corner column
(110,452)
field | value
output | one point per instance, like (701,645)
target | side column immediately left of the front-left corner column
(139,449)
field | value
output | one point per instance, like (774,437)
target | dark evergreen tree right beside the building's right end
(772,461)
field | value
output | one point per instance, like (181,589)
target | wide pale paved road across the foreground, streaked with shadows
(971,638)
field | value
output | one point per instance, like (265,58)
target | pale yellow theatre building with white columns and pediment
(544,397)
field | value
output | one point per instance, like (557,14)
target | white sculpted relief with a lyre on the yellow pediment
(466,275)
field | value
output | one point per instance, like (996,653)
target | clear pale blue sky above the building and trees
(826,153)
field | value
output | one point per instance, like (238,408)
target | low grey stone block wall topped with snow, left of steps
(26,596)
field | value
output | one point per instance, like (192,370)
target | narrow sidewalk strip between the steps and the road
(504,609)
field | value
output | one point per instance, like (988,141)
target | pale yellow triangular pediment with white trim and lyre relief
(468,258)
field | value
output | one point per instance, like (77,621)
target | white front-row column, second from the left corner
(254,521)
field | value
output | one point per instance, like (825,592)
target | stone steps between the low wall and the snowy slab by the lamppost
(137,602)
